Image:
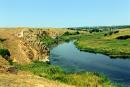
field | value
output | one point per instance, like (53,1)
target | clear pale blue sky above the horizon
(64,13)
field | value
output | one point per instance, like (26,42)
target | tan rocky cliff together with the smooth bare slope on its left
(25,44)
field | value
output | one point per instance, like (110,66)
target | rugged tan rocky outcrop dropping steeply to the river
(31,45)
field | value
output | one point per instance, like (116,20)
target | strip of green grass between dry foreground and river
(83,79)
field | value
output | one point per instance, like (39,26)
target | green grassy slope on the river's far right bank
(97,42)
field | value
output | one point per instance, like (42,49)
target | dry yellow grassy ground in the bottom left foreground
(23,79)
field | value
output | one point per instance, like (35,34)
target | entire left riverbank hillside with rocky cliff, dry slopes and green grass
(26,47)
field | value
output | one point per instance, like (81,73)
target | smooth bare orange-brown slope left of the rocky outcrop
(12,44)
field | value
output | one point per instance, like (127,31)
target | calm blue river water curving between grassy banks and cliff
(71,59)
